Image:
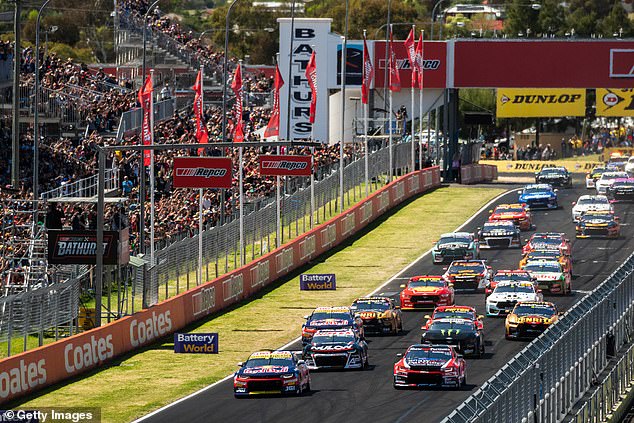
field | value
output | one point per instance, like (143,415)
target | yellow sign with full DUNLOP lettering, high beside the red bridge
(540,102)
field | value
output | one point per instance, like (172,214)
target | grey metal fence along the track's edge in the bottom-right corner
(545,380)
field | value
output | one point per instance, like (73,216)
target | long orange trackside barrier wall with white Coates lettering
(32,370)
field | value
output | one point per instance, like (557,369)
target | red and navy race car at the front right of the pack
(430,365)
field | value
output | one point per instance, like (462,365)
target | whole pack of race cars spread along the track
(335,337)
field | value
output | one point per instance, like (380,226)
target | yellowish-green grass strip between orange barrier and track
(274,317)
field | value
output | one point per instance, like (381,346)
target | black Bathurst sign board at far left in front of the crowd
(80,247)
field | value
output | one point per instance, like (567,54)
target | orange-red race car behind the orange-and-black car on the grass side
(426,292)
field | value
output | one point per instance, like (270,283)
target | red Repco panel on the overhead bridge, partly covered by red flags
(434,64)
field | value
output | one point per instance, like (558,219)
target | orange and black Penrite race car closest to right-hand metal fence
(530,318)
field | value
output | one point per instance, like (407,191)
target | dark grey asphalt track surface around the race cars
(368,396)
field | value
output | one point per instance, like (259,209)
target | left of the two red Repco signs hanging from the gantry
(202,172)
